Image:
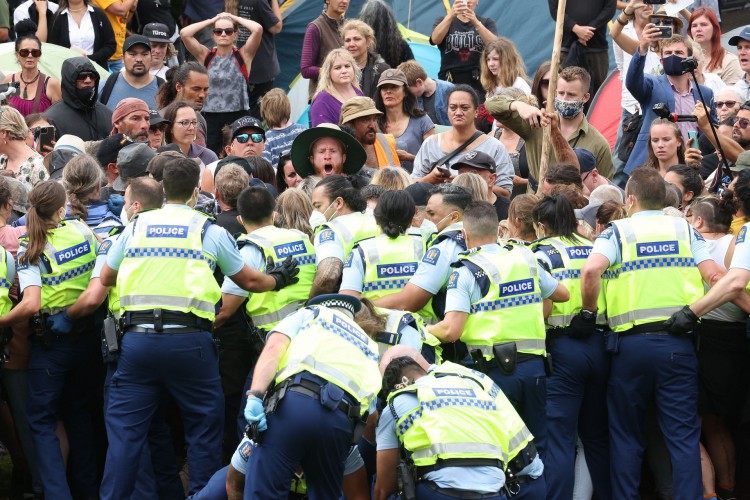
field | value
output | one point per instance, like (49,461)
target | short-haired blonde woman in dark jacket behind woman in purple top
(359,40)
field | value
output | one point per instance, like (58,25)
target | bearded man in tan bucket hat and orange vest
(359,115)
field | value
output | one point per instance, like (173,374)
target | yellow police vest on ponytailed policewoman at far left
(70,253)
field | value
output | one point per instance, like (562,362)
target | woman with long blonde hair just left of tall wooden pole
(501,66)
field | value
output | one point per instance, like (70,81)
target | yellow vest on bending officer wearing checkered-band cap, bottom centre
(333,347)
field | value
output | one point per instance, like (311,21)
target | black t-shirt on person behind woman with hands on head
(265,64)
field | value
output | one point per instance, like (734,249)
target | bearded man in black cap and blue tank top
(136,81)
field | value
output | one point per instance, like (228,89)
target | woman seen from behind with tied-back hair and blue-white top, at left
(82,179)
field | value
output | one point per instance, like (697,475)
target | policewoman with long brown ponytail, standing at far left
(55,262)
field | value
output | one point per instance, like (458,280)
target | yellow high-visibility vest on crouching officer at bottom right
(454,419)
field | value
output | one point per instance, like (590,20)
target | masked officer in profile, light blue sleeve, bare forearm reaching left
(444,212)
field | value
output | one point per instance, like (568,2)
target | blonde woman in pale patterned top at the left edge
(15,156)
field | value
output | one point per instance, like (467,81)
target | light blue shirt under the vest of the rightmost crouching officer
(480,479)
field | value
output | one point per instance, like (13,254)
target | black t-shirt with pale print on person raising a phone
(461,49)
